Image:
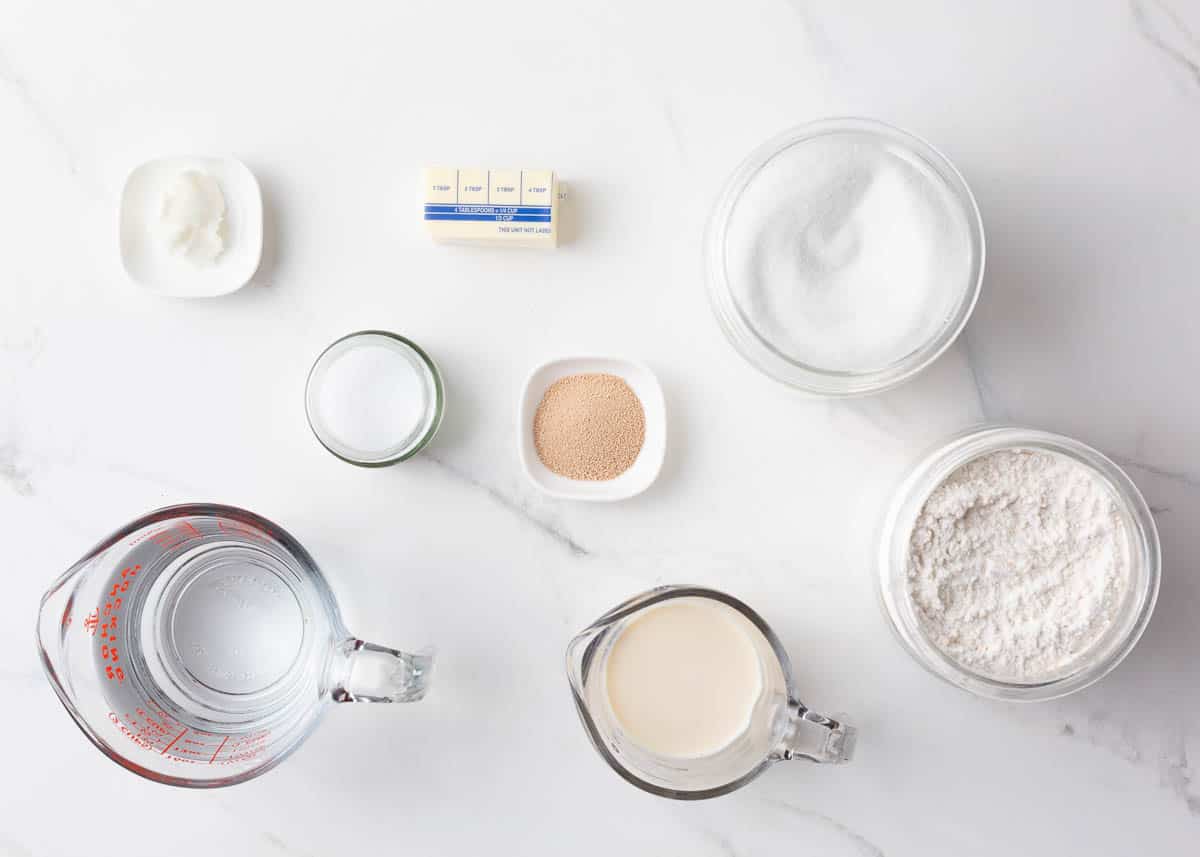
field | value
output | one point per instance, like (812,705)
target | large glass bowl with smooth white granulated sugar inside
(844,257)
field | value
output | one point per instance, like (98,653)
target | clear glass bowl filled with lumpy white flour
(1018,565)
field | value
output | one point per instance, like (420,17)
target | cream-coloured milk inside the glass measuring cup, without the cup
(683,679)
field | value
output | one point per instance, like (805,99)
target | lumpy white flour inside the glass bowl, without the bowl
(1018,565)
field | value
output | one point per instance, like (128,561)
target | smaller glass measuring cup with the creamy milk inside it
(688,694)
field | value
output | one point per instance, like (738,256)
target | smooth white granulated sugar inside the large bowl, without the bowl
(848,254)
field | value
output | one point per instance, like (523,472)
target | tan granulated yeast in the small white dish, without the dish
(590,427)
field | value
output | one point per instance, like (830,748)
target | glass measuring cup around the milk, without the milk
(781,727)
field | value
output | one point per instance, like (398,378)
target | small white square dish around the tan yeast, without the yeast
(645,470)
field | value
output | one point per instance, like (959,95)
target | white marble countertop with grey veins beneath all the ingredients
(1078,128)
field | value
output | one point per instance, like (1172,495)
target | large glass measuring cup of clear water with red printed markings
(200,645)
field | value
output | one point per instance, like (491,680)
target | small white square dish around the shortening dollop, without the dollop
(146,253)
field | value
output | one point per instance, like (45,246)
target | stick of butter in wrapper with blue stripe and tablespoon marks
(511,207)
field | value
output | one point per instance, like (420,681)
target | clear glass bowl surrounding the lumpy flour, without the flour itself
(1132,618)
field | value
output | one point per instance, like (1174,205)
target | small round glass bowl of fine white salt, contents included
(374,399)
